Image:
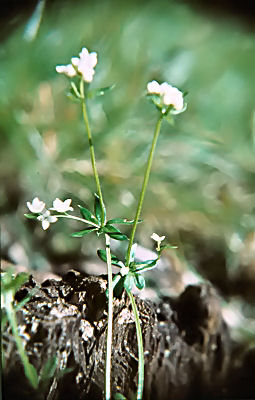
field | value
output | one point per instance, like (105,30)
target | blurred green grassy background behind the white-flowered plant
(202,188)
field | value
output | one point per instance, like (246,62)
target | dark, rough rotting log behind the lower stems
(186,342)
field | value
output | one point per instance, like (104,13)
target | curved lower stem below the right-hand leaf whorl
(140,347)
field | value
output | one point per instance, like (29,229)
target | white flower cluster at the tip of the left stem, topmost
(83,65)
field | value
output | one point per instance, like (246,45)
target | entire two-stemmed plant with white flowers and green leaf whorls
(168,101)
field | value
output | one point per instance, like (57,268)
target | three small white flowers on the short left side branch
(38,207)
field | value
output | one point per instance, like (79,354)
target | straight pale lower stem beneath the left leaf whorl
(109,322)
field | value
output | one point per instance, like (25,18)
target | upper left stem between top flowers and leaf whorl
(91,146)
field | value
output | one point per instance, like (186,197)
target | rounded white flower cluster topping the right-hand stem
(169,95)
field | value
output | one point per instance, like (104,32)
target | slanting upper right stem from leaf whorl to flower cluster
(145,183)
